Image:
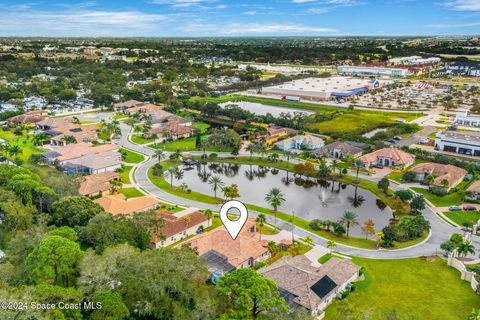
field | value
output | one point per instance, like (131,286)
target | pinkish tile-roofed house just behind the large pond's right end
(388,157)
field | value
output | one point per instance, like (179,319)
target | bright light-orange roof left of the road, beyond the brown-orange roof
(117,204)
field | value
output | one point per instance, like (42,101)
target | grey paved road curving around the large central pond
(440,230)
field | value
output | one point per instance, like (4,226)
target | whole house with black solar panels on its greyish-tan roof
(312,288)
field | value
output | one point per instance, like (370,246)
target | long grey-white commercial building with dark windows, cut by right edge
(458,142)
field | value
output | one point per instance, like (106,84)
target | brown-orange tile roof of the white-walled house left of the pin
(174,225)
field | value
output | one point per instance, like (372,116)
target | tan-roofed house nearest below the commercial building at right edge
(452,175)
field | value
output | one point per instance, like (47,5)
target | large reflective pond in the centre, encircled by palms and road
(308,198)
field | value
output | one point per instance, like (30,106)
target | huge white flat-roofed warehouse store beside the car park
(322,89)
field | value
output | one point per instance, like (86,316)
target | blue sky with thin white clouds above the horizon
(161,18)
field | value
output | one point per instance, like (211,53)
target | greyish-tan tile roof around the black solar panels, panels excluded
(297,276)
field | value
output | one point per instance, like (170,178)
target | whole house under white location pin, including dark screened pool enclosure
(223,254)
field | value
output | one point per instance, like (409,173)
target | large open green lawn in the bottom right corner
(414,288)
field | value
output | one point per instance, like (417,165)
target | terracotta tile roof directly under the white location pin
(237,251)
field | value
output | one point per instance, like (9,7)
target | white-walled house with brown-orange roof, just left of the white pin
(179,226)
